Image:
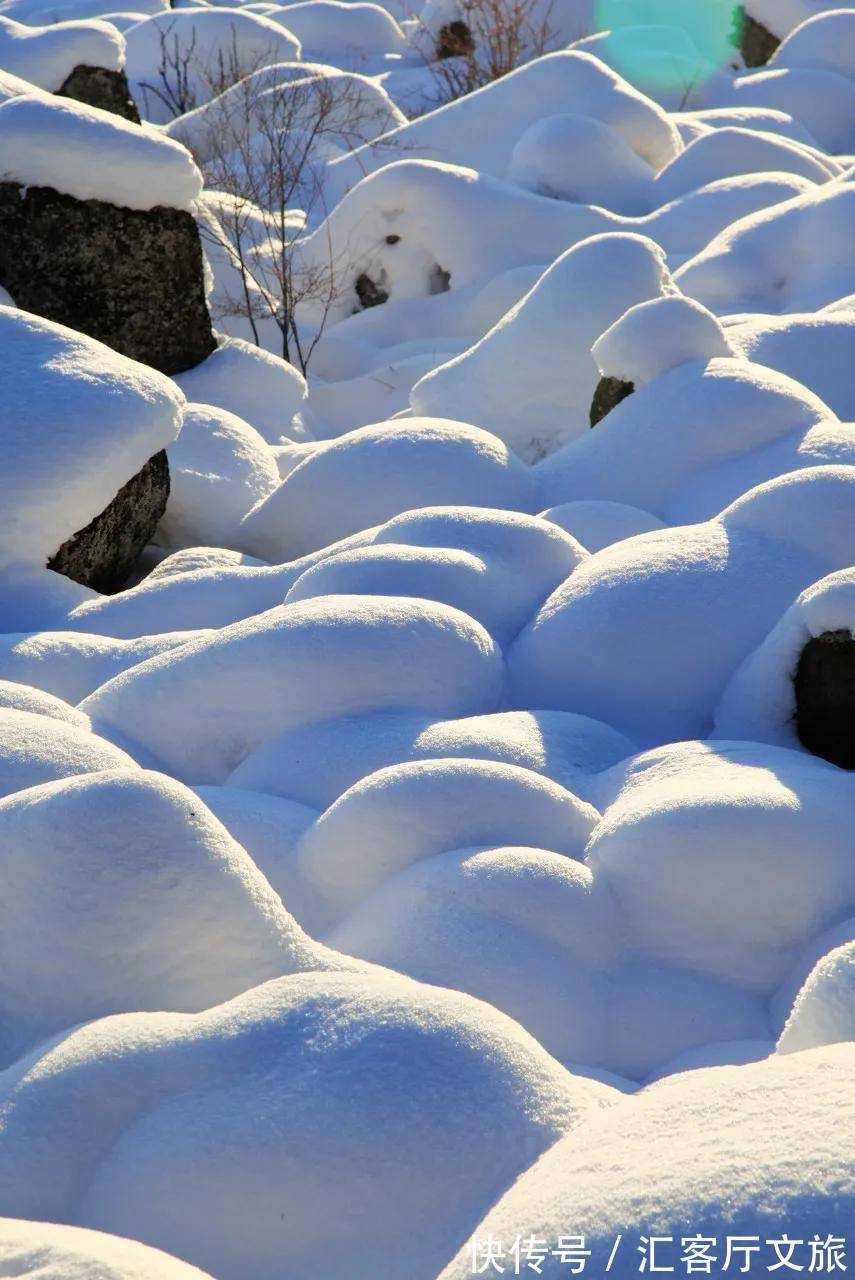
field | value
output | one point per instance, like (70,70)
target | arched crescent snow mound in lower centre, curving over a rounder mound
(410,812)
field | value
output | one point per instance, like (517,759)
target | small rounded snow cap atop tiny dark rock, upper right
(657,336)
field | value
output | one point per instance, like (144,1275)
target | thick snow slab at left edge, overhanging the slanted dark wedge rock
(80,423)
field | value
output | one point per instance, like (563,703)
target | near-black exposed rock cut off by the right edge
(825,687)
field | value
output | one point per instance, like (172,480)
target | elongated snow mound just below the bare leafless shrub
(376,473)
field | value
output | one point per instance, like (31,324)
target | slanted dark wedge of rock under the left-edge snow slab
(103,555)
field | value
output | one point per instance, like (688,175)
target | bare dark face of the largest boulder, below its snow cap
(131,278)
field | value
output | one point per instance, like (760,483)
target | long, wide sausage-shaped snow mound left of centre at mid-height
(298,665)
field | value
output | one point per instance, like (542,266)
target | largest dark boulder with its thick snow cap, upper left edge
(95,231)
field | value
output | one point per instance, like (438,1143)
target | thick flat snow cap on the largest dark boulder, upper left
(93,156)
